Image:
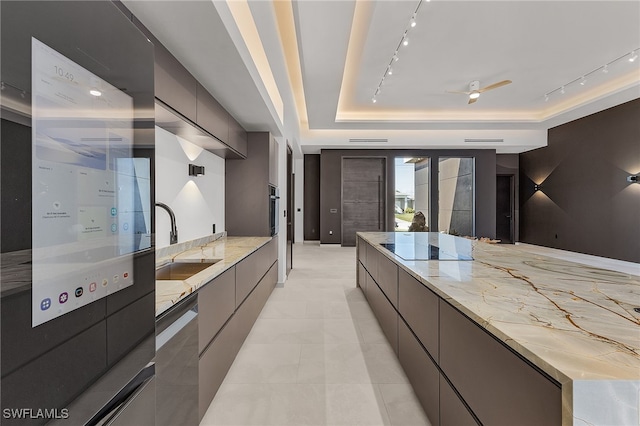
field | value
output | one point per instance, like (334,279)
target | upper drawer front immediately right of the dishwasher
(216,303)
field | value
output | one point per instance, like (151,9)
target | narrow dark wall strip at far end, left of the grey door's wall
(312,197)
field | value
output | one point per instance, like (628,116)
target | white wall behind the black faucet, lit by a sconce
(198,202)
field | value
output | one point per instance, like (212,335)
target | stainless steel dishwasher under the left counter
(177,364)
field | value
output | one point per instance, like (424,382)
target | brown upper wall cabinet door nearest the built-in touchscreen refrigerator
(174,85)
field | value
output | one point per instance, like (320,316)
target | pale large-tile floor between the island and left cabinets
(316,356)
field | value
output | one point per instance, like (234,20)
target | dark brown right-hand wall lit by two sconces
(585,203)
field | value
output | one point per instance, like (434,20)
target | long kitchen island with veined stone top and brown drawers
(491,334)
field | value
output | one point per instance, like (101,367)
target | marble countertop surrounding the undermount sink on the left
(229,251)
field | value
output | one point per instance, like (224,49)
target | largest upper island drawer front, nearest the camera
(499,386)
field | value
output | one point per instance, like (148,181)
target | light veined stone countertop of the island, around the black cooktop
(575,322)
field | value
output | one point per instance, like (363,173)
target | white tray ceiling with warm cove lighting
(344,48)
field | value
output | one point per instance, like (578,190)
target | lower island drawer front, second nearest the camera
(421,371)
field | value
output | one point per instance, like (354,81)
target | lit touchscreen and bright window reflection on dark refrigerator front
(91,198)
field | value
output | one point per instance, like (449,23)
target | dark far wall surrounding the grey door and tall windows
(330,187)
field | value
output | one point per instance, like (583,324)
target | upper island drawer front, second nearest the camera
(419,307)
